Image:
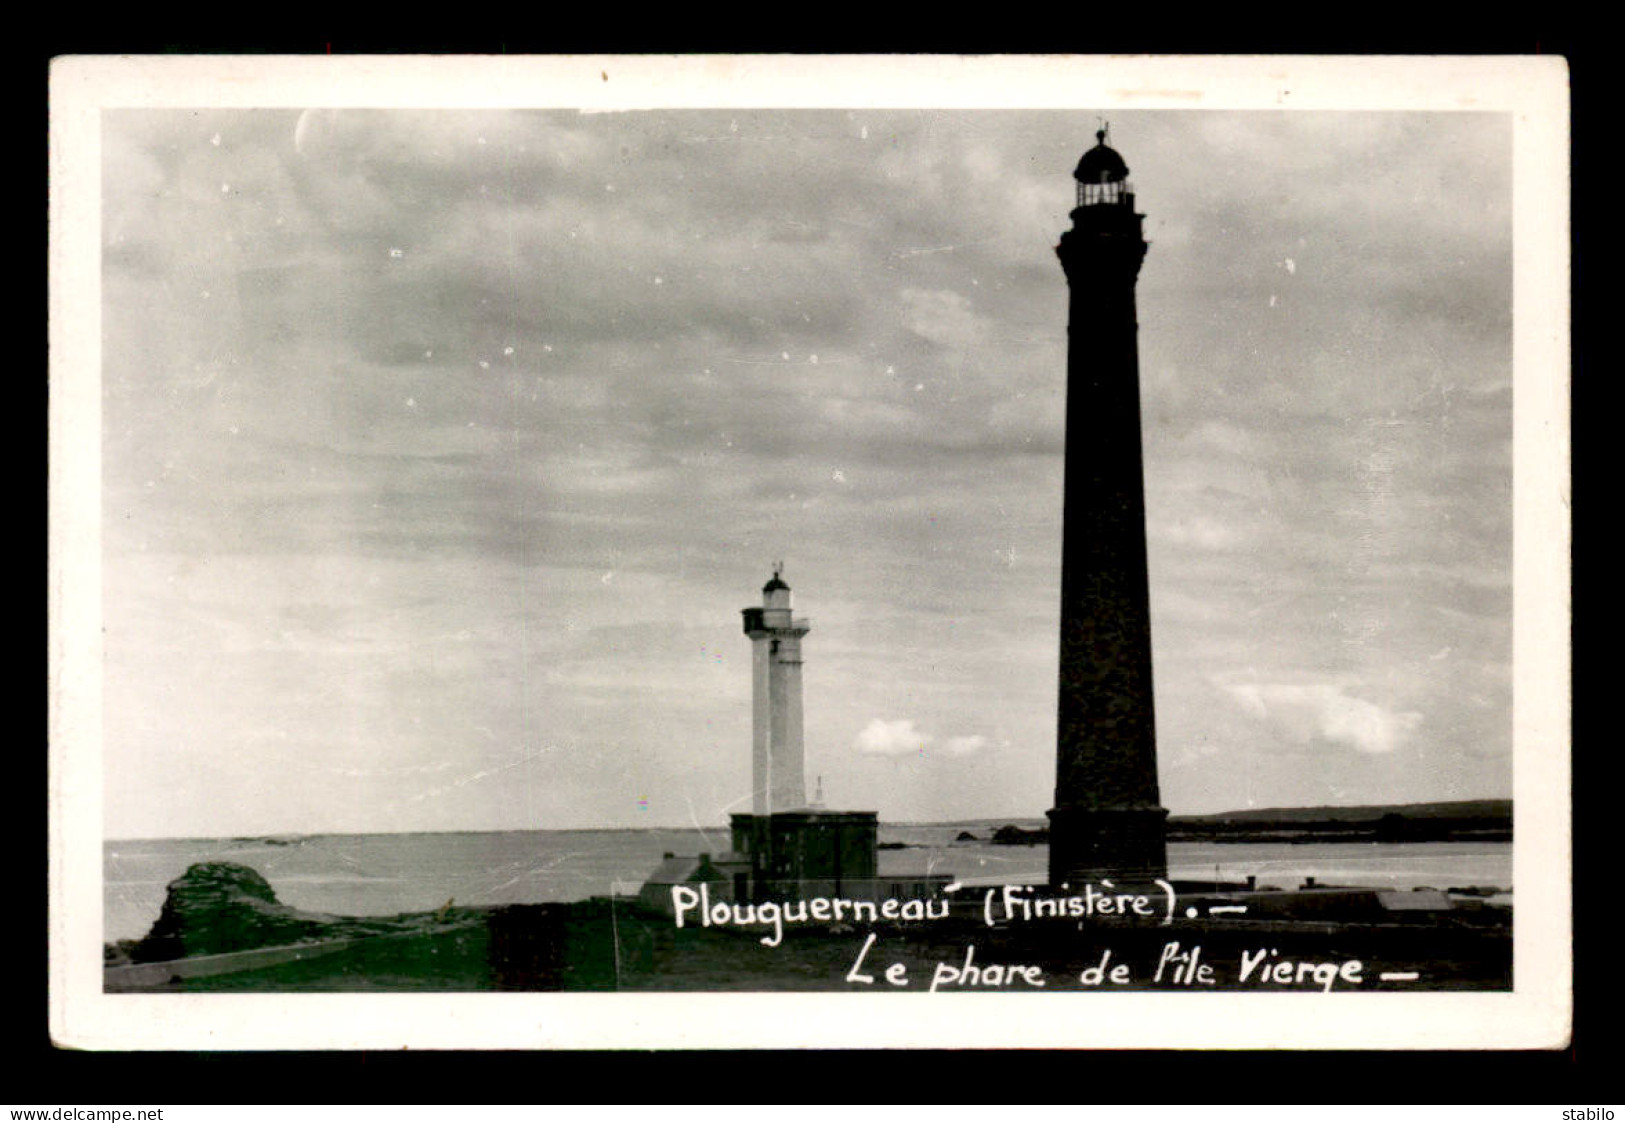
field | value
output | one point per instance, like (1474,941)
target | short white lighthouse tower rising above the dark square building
(778,755)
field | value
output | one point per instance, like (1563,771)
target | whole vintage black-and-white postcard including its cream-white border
(537,540)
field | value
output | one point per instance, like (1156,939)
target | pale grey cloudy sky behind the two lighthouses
(441,451)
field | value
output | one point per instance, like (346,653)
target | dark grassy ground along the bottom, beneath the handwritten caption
(612,947)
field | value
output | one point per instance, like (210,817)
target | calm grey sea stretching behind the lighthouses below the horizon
(379,875)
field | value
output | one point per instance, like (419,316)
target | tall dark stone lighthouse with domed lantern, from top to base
(1107,818)
